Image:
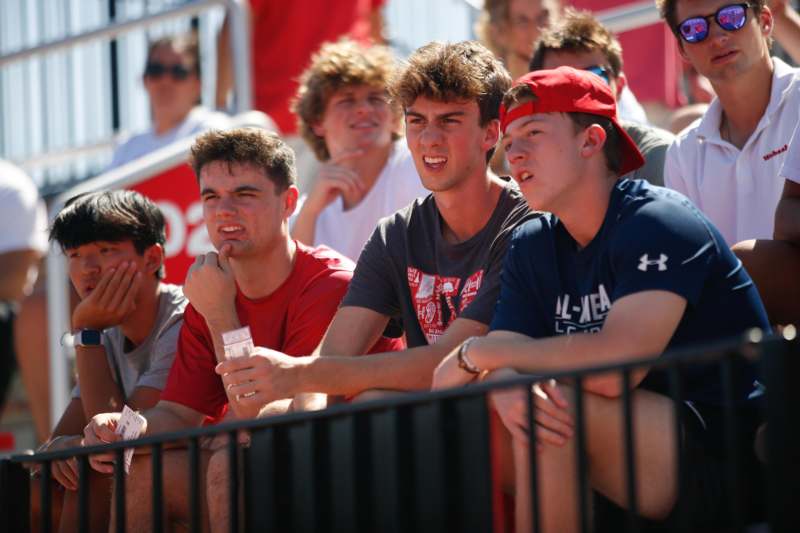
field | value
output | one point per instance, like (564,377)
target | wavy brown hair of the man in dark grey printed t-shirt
(454,72)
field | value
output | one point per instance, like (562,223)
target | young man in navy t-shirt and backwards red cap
(639,270)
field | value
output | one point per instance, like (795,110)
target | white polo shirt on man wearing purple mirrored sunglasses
(738,189)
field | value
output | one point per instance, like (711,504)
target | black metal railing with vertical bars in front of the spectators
(422,462)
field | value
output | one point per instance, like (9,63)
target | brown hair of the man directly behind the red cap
(578,31)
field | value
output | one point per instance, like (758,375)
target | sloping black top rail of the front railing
(698,354)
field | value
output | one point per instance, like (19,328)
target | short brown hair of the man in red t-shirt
(247,146)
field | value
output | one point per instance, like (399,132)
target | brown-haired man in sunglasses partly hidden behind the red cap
(580,41)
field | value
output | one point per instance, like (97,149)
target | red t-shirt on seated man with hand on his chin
(292,320)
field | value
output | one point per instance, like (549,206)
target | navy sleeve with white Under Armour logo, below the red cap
(662,245)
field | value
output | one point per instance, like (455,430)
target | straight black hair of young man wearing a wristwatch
(111,216)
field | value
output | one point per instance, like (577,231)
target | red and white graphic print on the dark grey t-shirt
(430,291)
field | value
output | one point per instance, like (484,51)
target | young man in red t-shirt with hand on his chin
(285,292)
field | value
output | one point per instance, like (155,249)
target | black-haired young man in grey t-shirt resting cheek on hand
(124,329)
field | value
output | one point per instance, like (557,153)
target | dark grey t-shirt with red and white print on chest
(408,270)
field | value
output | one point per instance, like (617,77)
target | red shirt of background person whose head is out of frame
(286,34)
